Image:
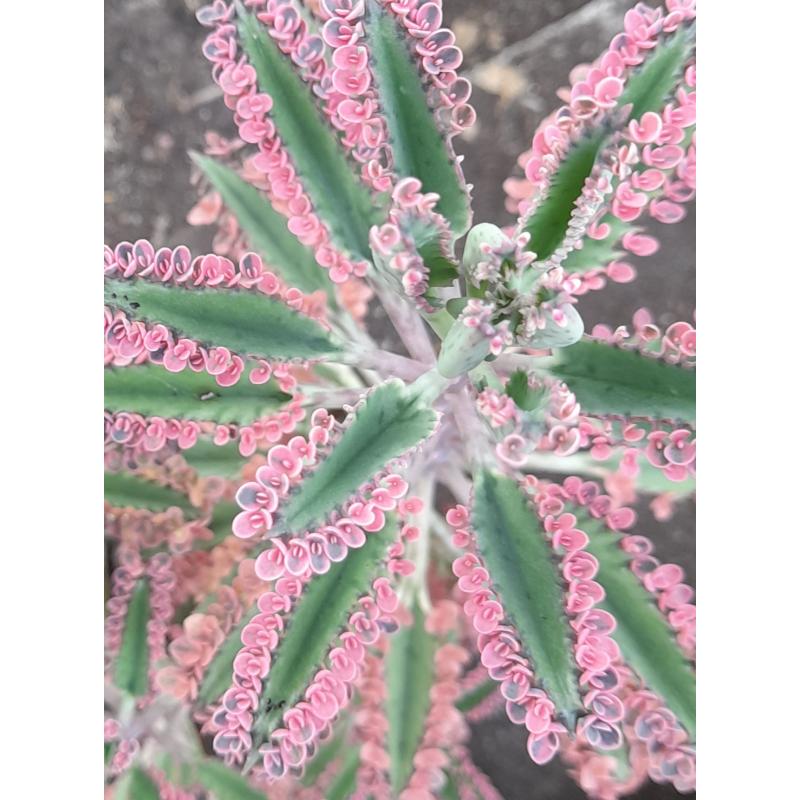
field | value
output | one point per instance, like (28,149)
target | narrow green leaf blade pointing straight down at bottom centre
(409,677)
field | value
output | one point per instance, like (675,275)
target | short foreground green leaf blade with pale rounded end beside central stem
(392,420)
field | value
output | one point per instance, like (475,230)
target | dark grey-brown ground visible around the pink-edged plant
(160,100)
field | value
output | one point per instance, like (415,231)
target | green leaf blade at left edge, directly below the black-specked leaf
(150,390)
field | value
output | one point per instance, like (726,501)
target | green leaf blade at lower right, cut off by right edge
(647,643)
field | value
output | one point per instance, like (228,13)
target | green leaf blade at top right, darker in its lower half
(646,89)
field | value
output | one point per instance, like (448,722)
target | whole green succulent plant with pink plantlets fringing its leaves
(325,558)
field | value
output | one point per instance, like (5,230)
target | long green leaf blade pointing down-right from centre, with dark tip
(520,561)
